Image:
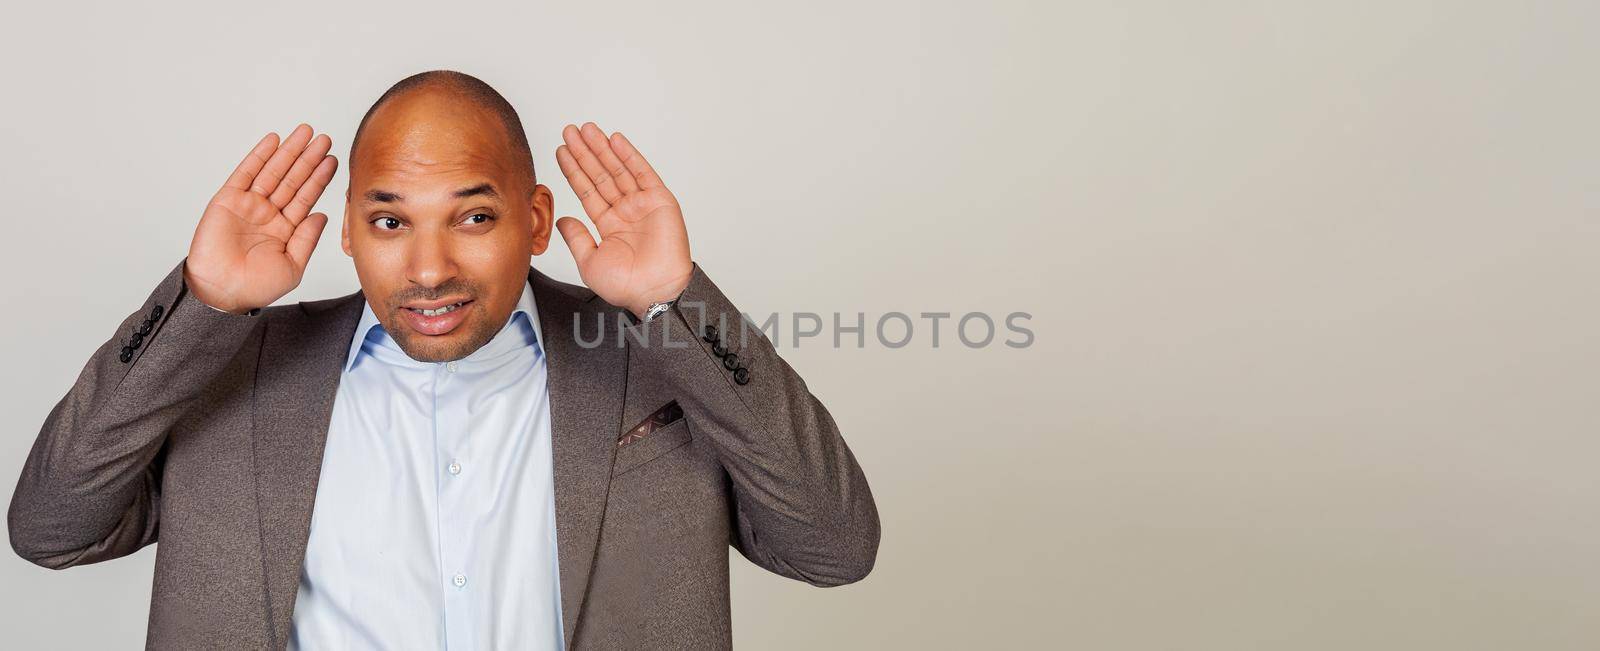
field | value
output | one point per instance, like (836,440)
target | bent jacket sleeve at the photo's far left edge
(92,485)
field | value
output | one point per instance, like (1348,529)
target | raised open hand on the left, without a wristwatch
(258,231)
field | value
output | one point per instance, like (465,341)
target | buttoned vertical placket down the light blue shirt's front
(454,473)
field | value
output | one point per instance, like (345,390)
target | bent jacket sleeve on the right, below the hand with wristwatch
(802,506)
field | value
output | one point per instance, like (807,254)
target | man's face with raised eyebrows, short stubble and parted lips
(442,223)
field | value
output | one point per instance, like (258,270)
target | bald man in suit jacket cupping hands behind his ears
(465,453)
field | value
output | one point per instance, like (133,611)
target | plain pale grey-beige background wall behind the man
(1313,284)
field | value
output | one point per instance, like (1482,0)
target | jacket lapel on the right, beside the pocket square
(586,385)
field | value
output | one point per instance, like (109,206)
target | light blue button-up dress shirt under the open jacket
(434,524)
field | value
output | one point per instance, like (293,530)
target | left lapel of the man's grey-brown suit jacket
(297,380)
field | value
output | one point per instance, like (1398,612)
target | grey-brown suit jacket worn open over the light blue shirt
(206,431)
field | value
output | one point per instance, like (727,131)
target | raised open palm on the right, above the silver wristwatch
(644,250)
